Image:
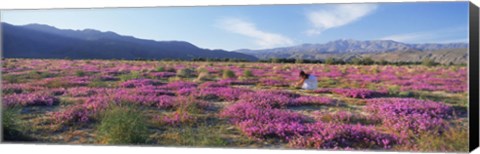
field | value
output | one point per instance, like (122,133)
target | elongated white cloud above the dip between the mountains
(261,38)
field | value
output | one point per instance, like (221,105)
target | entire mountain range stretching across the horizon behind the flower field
(44,41)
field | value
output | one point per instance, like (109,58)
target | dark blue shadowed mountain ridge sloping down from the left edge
(43,41)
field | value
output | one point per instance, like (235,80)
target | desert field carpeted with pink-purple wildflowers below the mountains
(200,104)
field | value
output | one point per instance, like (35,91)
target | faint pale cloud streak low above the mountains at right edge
(437,36)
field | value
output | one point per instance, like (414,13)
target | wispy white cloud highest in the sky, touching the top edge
(339,15)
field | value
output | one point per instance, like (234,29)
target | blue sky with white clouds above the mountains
(267,26)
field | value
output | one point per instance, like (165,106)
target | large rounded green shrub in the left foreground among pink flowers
(122,125)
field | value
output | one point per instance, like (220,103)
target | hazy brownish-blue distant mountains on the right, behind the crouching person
(376,49)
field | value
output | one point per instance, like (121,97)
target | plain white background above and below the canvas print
(83,149)
